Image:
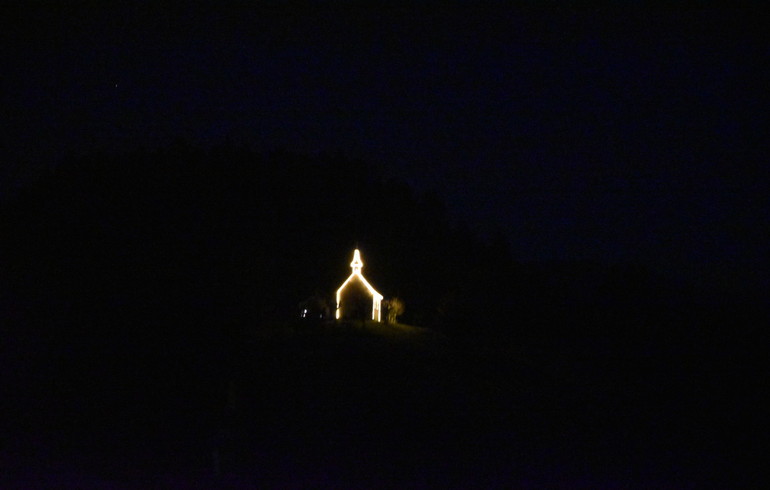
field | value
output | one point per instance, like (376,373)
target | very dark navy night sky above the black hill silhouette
(583,134)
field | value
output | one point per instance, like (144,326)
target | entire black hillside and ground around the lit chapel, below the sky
(148,302)
